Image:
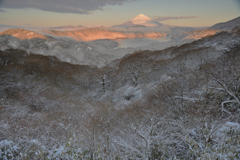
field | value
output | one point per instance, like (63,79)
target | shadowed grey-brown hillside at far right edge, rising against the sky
(227,25)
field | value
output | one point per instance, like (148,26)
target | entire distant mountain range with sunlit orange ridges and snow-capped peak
(139,27)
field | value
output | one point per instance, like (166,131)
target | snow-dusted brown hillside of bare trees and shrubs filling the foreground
(178,103)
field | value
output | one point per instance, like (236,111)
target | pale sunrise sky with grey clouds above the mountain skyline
(208,12)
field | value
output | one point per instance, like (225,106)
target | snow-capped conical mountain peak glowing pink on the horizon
(140,21)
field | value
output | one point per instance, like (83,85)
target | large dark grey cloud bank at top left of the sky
(61,6)
